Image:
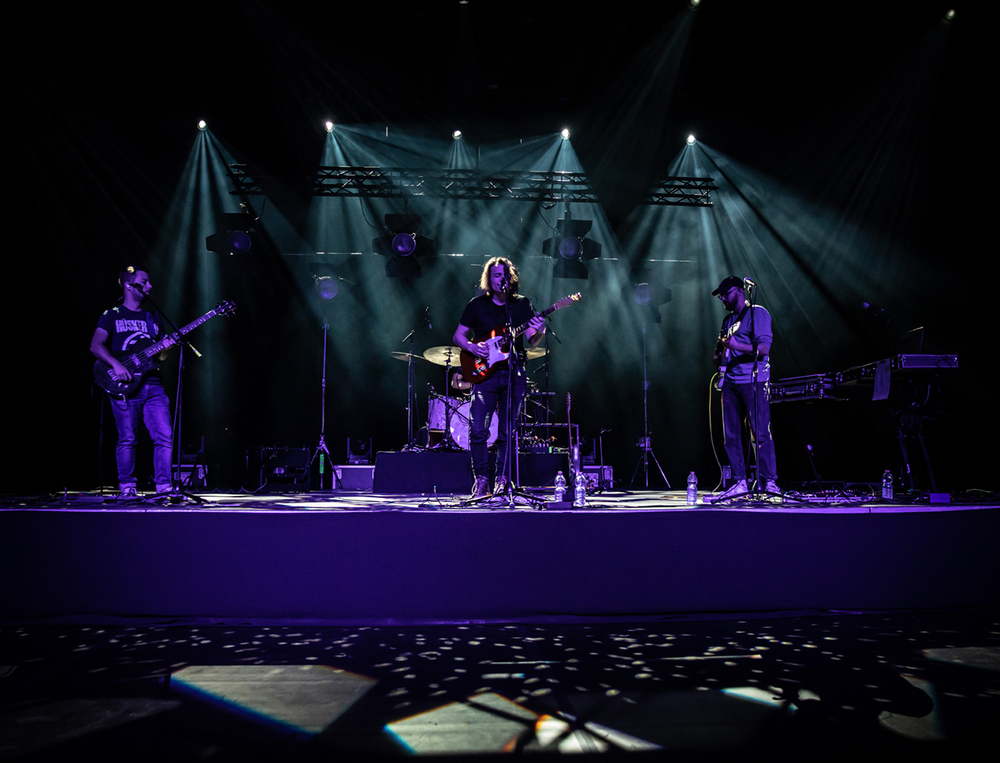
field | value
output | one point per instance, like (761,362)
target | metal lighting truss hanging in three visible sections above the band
(510,185)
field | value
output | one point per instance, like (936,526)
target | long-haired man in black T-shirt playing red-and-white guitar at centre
(497,308)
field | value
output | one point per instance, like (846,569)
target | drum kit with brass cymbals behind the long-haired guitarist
(448,416)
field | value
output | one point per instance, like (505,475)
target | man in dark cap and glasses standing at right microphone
(743,351)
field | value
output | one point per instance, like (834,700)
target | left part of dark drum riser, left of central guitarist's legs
(423,472)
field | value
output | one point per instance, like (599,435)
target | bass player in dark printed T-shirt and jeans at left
(121,331)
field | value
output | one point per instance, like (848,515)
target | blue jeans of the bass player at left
(153,406)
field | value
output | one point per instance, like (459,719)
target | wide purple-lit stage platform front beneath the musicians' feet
(359,557)
